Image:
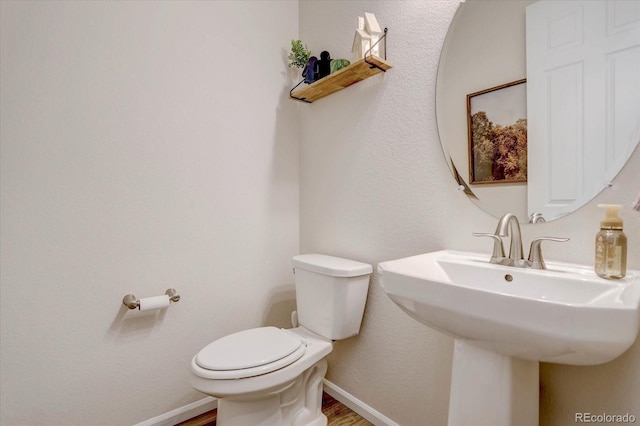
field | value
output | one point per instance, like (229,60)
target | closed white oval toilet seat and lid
(250,353)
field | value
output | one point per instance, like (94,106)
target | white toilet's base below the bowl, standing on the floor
(299,404)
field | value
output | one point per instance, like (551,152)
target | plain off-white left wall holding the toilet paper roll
(144,145)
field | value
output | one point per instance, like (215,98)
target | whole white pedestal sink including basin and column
(506,320)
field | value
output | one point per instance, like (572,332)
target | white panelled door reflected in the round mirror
(582,89)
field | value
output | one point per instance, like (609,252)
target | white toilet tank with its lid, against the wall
(331,293)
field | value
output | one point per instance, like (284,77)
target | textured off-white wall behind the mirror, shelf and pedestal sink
(374,186)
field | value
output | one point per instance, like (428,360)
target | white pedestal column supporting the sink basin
(490,389)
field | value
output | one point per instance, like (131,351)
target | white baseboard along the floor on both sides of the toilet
(199,407)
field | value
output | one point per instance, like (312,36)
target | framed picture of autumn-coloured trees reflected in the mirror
(497,134)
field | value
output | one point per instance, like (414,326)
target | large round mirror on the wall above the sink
(538,103)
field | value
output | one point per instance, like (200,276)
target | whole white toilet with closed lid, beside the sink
(269,376)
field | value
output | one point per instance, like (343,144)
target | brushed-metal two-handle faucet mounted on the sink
(508,225)
